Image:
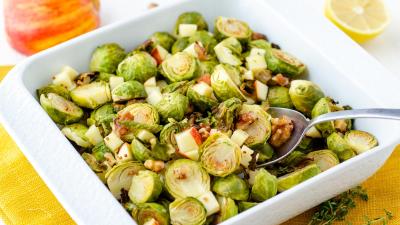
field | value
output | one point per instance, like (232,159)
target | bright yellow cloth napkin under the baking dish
(25,198)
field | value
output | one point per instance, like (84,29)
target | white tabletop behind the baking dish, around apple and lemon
(386,48)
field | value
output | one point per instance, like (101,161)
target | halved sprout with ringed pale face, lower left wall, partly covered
(120,177)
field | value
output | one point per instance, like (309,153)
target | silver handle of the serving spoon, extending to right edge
(391,114)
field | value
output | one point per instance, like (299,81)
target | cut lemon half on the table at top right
(362,20)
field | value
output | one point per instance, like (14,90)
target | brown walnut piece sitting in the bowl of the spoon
(282,128)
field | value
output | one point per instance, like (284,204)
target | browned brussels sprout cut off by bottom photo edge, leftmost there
(151,213)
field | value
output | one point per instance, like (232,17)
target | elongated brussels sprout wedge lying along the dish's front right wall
(294,178)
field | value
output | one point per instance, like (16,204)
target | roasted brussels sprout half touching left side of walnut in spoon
(259,130)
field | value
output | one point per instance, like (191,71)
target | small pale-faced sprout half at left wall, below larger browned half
(76,133)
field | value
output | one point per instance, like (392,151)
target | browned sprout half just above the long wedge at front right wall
(324,159)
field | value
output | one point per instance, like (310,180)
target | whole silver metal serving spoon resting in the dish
(302,124)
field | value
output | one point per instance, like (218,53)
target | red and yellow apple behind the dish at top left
(34,25)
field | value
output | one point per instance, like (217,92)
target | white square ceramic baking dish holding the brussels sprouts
(337,64)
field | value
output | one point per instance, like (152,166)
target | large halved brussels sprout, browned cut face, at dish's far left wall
(61,110)
